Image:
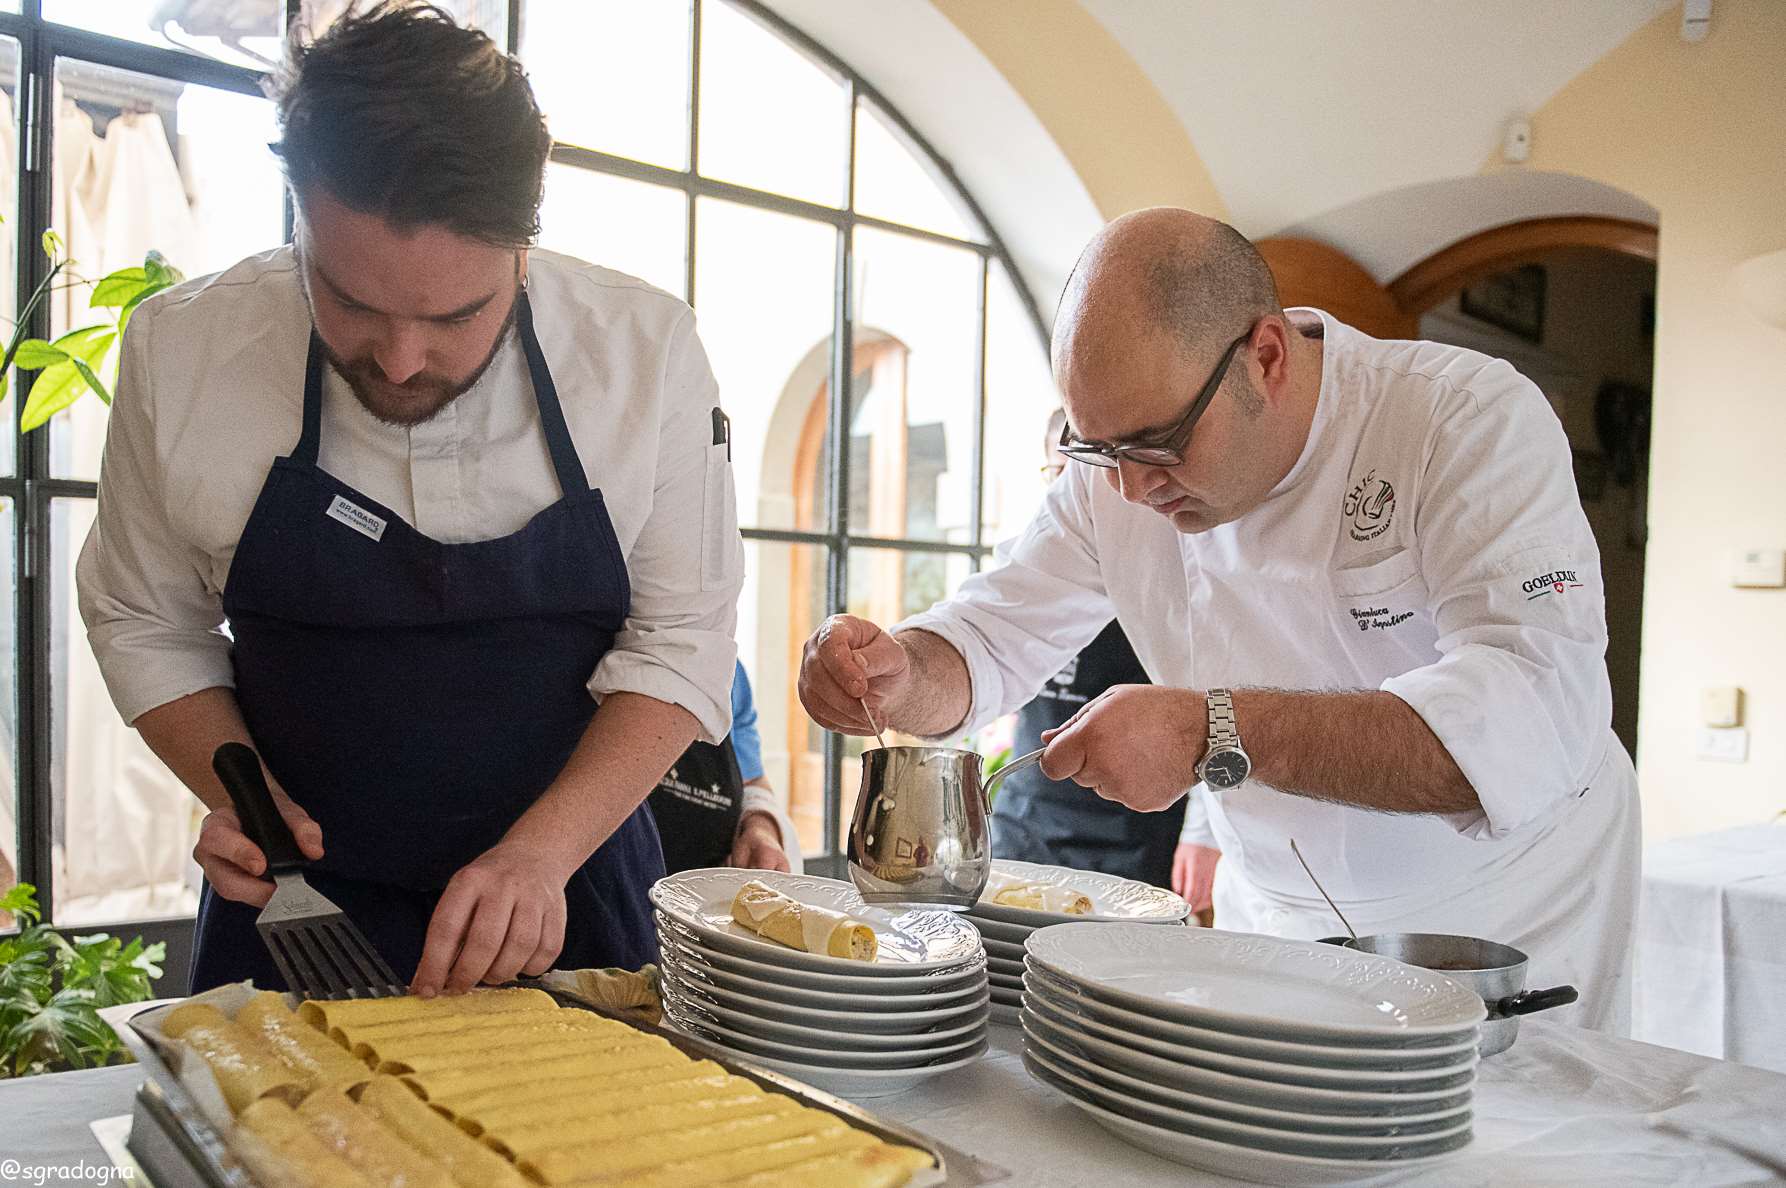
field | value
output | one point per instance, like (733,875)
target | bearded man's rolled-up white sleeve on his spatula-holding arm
(154,621)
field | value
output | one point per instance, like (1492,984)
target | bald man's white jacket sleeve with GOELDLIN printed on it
(1519,696)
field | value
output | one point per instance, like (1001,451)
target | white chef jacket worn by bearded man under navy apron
(212,392)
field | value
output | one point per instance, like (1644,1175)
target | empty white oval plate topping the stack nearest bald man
(1258,985)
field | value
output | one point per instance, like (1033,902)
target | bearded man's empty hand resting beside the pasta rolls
(499,917)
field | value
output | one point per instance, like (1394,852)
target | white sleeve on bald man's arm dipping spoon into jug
(1039,607)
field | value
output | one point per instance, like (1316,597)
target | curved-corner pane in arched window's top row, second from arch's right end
(771,117)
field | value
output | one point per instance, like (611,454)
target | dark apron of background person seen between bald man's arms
(1058,823)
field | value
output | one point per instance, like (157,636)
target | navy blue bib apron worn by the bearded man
(417,698)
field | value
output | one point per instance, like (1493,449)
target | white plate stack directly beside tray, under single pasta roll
(853,1028)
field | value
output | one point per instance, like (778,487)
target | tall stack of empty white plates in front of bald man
(1262,1058)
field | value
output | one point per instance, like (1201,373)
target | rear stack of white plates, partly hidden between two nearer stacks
(1005,930)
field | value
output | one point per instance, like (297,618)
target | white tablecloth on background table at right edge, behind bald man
(1712,946)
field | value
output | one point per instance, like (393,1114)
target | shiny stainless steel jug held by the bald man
(919,833)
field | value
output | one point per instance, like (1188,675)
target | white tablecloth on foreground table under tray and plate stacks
(1564,1107)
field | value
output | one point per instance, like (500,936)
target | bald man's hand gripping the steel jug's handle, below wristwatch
(1133,744)
